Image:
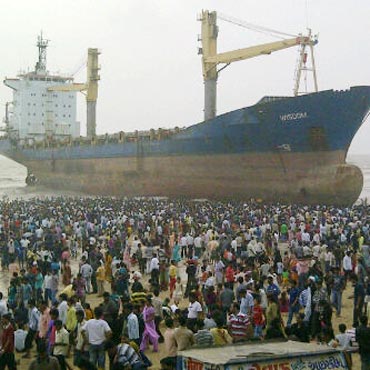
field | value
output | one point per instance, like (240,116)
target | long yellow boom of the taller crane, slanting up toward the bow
(254,51)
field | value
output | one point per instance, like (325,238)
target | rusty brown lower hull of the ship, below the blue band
(314,177)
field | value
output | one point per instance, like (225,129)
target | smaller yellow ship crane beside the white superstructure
(90,89)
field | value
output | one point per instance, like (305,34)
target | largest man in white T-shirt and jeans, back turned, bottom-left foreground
(96,332)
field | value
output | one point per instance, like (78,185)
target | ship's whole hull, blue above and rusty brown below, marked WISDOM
(291,149)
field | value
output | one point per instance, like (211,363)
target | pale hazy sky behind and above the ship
(150,72)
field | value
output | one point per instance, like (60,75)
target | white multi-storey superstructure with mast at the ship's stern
(38,112)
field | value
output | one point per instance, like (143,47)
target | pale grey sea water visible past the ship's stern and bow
(12,180)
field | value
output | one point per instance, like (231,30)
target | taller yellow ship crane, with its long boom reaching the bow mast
(211,59)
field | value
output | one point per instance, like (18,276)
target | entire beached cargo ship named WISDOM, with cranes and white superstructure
(288,149)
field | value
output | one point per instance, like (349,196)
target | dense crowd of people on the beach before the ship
(97,277)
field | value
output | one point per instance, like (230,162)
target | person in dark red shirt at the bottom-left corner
(7,358)
